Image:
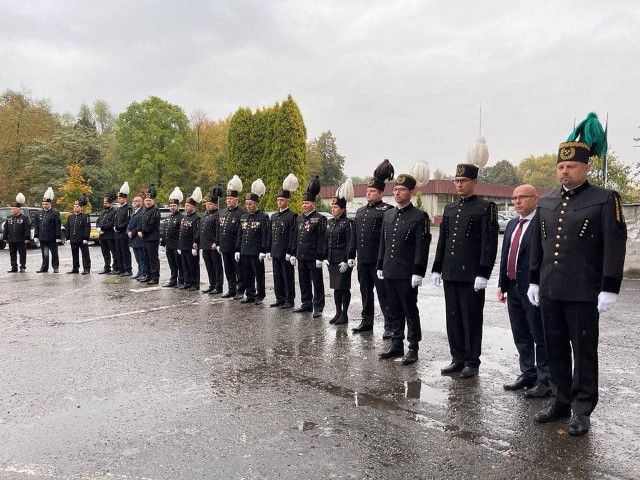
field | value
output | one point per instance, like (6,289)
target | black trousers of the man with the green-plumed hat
(572,327)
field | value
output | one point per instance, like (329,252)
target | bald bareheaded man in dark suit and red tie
(513,283)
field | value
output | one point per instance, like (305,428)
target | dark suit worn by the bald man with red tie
(526,321)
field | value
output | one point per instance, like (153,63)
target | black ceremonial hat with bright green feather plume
(588,139)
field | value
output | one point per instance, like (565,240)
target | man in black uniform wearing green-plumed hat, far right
(578,248)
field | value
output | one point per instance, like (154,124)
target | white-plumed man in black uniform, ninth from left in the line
(187,244)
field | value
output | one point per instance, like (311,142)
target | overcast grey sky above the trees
(400,79)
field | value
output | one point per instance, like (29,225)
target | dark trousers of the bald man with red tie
(528,335)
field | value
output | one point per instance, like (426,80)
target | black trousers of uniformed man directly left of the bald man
(464,321)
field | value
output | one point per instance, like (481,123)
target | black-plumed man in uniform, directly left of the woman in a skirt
(307,251)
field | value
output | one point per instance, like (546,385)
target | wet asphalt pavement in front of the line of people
(101,377)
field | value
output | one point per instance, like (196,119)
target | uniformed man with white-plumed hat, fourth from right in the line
(402,263)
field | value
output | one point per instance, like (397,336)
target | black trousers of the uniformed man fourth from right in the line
(403,308)
